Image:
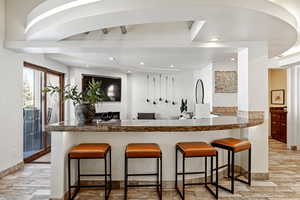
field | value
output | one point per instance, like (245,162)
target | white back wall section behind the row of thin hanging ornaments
(183,89)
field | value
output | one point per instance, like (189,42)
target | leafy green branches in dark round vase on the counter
(84,102)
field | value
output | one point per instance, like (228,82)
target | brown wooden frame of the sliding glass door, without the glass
(46,149)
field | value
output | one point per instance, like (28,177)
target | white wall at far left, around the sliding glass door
(11,86)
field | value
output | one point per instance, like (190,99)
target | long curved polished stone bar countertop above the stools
(191,125)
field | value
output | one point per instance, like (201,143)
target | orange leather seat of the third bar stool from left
(196,149)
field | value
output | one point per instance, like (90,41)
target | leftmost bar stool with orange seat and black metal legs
(90,151)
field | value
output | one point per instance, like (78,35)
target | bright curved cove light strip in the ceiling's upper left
(59,9)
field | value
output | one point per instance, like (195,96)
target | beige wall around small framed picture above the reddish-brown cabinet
(277,81)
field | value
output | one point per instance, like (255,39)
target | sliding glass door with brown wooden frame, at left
(39,109)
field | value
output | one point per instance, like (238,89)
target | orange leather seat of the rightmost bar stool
(234,144)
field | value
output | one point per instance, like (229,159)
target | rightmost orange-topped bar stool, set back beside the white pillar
(234,145)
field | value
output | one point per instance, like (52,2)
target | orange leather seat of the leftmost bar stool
(89,150)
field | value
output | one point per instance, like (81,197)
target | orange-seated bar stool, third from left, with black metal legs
(192,150)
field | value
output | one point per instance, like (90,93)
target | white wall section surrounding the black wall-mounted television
(76,79)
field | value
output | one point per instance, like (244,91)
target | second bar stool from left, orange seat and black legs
(144,150)
